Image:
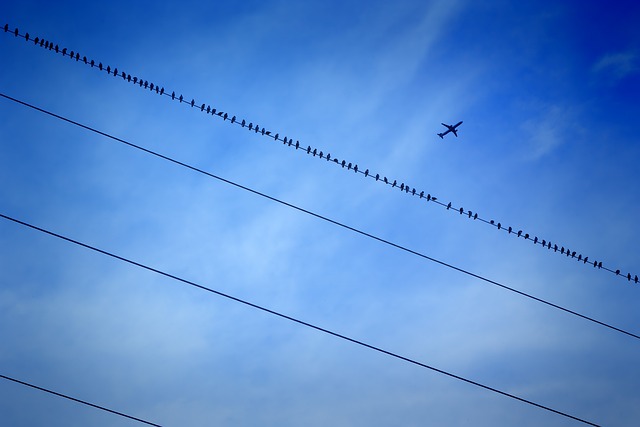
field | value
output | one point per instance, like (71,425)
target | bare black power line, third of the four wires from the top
(293,319)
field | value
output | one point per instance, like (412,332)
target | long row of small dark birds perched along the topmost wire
(309,150)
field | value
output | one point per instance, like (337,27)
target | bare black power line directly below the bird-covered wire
(324,218)
